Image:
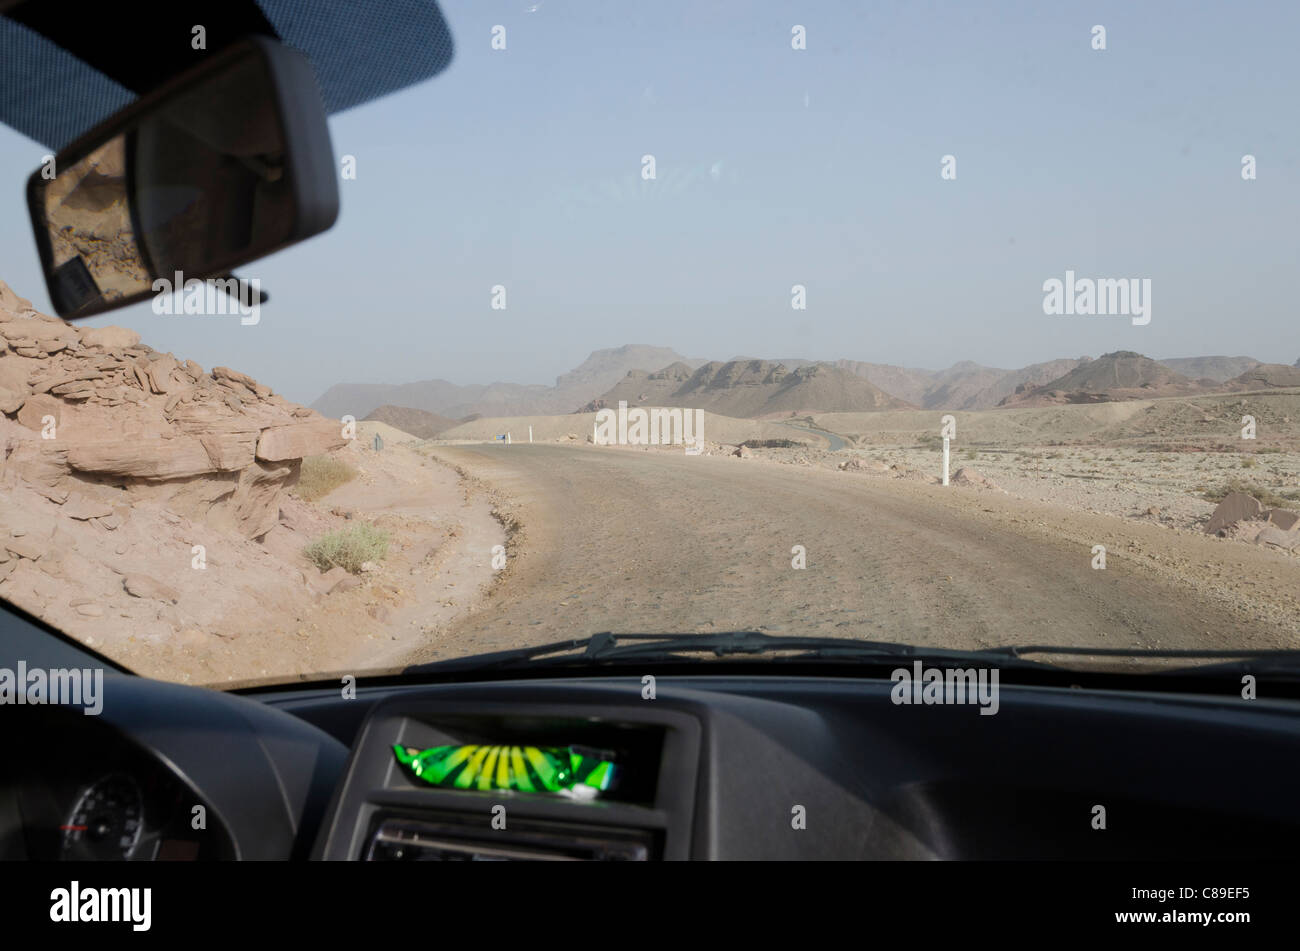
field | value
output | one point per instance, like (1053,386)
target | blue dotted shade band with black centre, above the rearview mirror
(70,66)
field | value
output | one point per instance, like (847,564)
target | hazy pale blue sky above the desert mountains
(779,167)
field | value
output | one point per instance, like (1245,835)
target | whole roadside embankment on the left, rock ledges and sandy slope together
(151,510)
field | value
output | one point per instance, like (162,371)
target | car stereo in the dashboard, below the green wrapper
(456,840)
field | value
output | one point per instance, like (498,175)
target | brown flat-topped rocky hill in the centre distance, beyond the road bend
(749,389)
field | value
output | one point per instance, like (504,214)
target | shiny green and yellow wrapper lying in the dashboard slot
(564,771)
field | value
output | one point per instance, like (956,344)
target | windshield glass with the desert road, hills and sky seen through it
(956,327)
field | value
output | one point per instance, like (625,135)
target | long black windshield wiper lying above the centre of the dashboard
(610,649)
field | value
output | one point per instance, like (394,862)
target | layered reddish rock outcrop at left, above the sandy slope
(96,416)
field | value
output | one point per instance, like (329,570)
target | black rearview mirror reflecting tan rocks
(223,166)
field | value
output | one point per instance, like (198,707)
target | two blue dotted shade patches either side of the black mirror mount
(359,50)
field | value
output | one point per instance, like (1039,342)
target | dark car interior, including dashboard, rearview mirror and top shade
(609,746)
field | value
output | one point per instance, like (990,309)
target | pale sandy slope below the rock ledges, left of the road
(263,613)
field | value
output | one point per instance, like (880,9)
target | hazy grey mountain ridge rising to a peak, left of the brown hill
(593,376)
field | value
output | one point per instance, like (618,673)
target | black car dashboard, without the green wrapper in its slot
(709,767)
